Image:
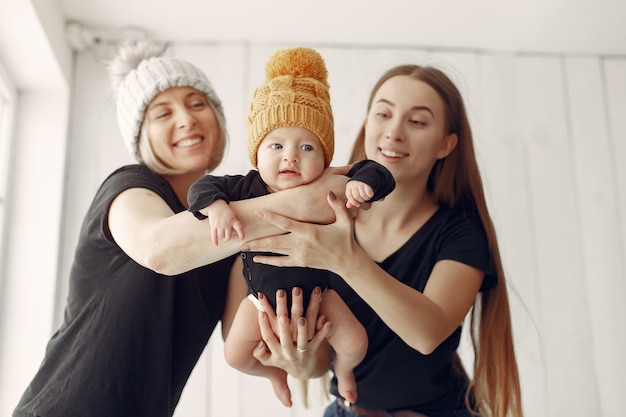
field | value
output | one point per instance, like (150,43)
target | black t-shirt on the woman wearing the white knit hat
(130,336)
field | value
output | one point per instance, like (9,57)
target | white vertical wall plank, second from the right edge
(597,207)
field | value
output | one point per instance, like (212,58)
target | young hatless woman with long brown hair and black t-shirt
(414,265)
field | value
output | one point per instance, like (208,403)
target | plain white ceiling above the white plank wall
(570,26)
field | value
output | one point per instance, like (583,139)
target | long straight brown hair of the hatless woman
(455,181)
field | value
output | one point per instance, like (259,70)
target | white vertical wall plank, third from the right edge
(543,122)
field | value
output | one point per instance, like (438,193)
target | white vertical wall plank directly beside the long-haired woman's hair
(500,148)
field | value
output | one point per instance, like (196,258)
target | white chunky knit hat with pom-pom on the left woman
(139,74)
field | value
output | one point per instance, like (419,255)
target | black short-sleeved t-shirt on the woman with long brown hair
(394,376)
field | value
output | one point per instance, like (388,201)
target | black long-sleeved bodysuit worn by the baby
(267,278)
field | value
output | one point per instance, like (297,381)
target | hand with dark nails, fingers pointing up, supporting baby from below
(297,345)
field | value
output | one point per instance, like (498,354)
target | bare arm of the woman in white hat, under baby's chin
(148,231)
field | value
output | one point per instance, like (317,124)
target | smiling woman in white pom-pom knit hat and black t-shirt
(132,335)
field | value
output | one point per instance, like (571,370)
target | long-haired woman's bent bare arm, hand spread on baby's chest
(422,320)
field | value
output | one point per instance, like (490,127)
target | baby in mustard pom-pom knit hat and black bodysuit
(290,142)
